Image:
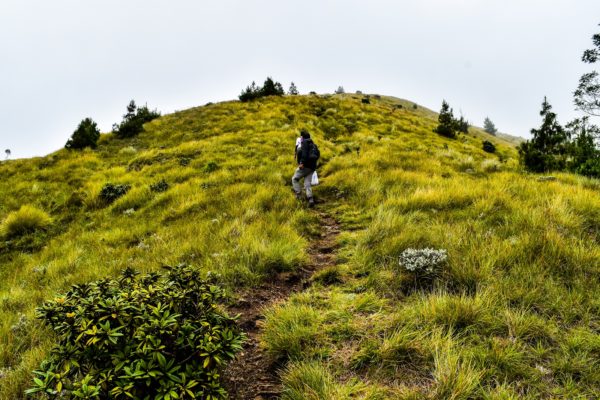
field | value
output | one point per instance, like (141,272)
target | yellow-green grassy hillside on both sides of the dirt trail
(514,314)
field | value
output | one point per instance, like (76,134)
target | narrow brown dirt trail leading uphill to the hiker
(251,376)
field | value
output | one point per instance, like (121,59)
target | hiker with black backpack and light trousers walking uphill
(307,154)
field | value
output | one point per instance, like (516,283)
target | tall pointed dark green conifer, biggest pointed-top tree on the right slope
(547,149)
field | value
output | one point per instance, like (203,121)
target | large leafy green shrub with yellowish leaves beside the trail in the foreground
(133,337)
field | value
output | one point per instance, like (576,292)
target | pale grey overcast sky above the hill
(62,61)
